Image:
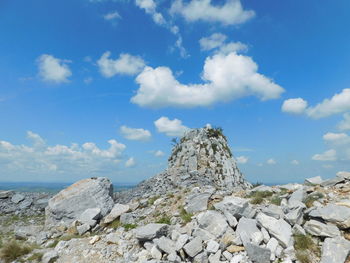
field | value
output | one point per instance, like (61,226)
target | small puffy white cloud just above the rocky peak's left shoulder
(170,127)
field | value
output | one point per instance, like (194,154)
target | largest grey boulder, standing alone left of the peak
(69,204)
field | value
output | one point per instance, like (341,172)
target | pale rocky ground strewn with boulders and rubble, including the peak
(182,222)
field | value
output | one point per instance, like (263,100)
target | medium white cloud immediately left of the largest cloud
(126,64)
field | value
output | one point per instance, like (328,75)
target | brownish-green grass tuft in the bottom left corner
(14,250)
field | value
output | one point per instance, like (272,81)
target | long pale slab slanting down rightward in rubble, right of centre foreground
(279,229)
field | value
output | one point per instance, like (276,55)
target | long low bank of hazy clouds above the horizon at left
(42,159)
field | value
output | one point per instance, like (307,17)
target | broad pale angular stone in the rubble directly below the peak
(212,221)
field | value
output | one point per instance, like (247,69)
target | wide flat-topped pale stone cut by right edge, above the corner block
(336,214)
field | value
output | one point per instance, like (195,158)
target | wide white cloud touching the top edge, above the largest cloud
(230,13)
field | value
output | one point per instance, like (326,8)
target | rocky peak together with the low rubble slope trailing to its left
(201,157)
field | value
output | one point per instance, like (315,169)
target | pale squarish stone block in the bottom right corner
(335,250)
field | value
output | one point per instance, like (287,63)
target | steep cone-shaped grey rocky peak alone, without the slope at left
(205,151)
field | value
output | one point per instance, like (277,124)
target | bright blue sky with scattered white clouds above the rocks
(100,87)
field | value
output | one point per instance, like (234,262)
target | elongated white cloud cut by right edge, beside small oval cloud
(339,103)
